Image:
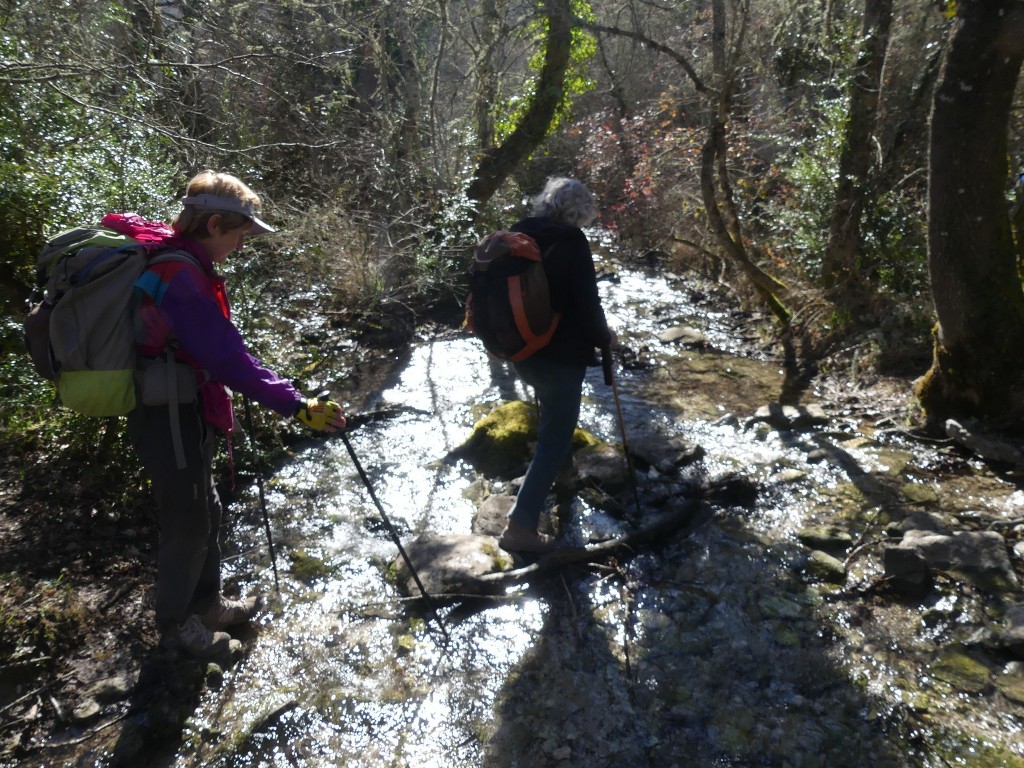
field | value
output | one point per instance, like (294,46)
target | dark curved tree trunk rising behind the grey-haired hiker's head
(496,164)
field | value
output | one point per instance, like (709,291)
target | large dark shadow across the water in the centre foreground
(704,652)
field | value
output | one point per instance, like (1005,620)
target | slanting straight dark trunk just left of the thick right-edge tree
(841,268)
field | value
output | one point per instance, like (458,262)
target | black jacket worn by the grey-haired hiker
(573,281)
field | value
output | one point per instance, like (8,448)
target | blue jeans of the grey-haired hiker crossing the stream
(560,390)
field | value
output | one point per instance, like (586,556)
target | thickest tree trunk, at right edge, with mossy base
(978,370)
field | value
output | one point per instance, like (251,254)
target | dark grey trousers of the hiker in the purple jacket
(189,510)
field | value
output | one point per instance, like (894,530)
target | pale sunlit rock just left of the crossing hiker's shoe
(447,564)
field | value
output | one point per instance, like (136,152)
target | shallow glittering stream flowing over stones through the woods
(724,646)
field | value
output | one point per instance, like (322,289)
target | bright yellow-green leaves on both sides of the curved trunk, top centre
(578,80)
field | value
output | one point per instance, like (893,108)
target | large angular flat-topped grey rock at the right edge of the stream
(979,557)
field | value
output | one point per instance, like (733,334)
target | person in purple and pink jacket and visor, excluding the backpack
(185,316)
